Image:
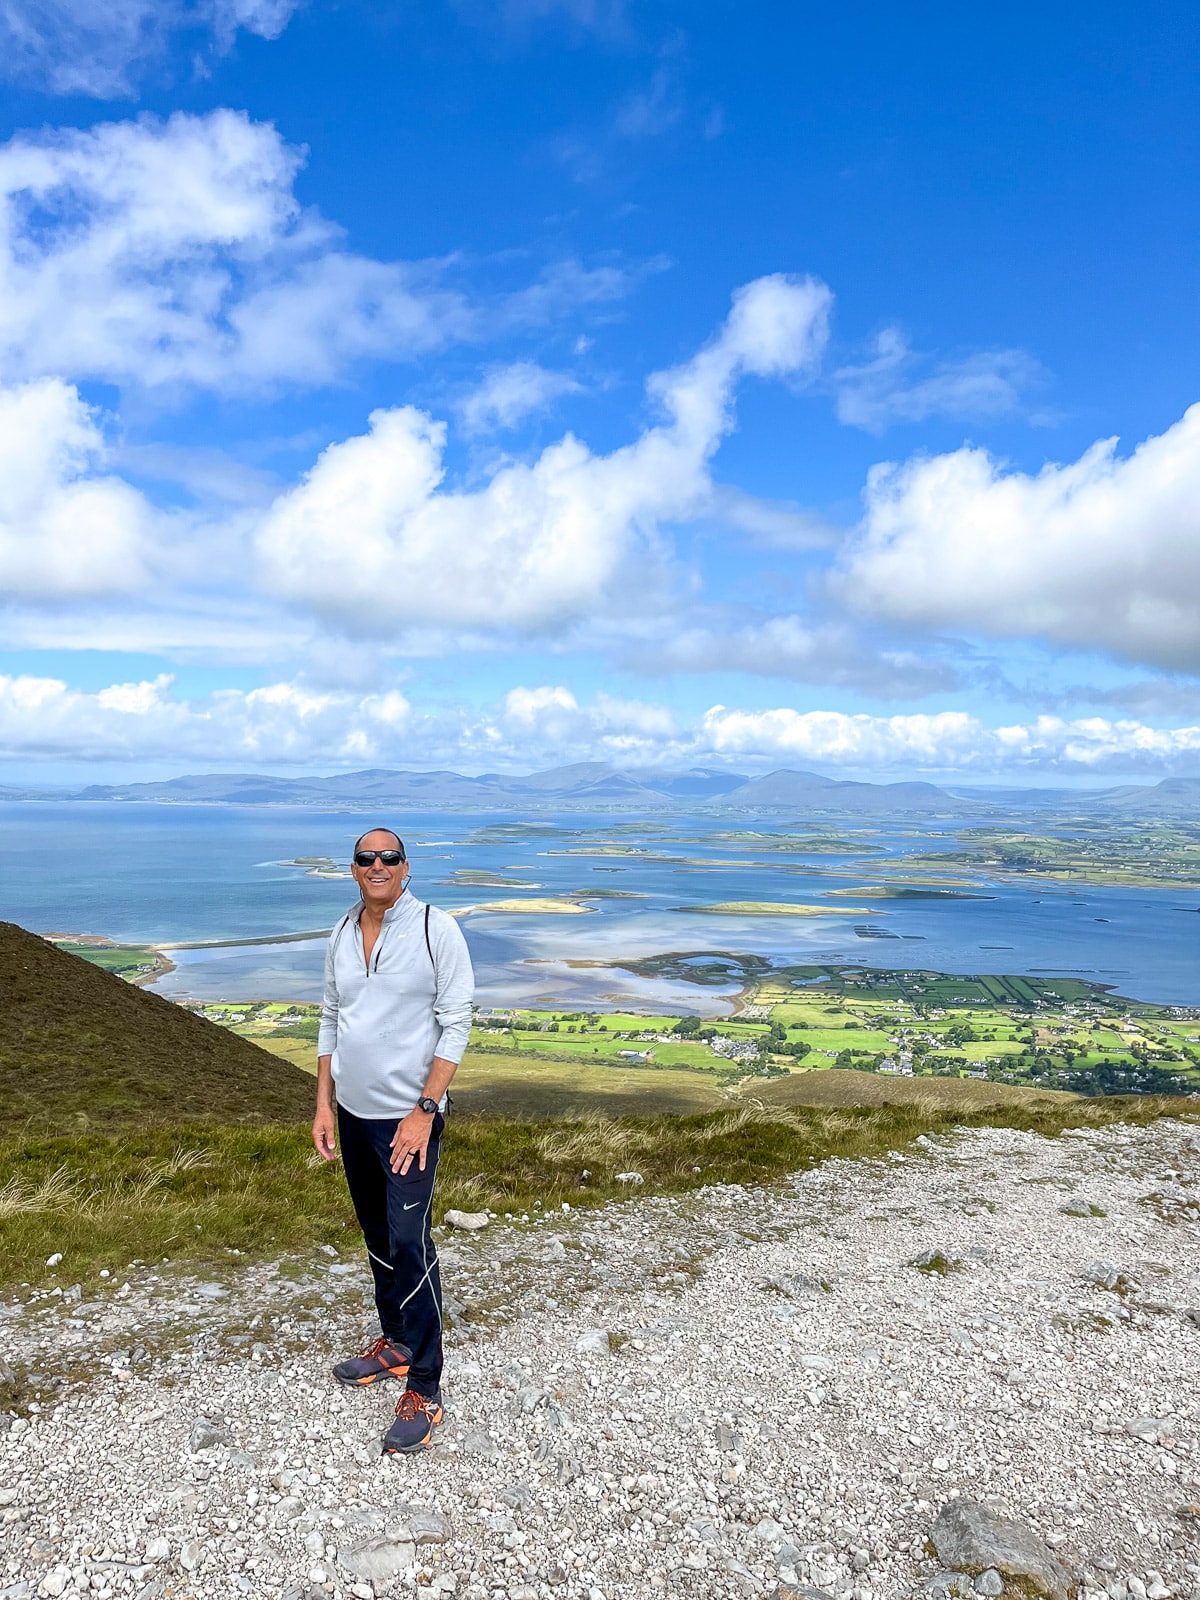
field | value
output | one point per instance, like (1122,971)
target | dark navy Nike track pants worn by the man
(396,1217)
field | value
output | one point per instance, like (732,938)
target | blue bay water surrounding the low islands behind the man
(174,873)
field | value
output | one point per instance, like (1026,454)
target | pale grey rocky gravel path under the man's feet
(735,1393)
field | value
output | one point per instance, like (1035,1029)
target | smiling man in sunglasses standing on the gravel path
(394,1026)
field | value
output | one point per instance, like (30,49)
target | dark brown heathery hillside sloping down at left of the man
(84,1049)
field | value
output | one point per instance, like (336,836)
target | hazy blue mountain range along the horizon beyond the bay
(601,786)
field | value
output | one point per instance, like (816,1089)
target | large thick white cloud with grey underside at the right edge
(1102,554)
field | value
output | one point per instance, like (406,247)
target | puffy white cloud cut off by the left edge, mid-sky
(66,527)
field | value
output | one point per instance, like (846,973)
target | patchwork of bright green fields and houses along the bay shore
(1034,1033)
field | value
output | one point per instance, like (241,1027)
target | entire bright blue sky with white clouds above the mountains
(497,383)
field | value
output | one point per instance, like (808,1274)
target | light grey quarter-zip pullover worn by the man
(385,1026)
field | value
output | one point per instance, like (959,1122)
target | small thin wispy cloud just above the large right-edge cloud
(887,388)
